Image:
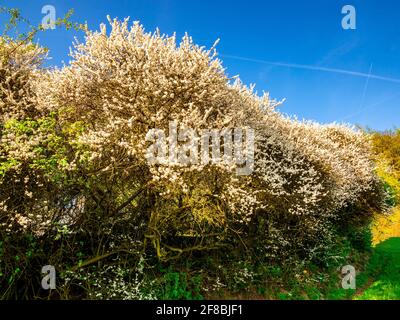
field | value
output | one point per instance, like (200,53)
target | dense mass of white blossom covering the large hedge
(123,82)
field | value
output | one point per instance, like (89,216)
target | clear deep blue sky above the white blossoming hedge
(290,48)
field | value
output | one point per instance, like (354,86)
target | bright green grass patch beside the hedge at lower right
(384,269)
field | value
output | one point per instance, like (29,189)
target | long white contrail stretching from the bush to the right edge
(315,68)
